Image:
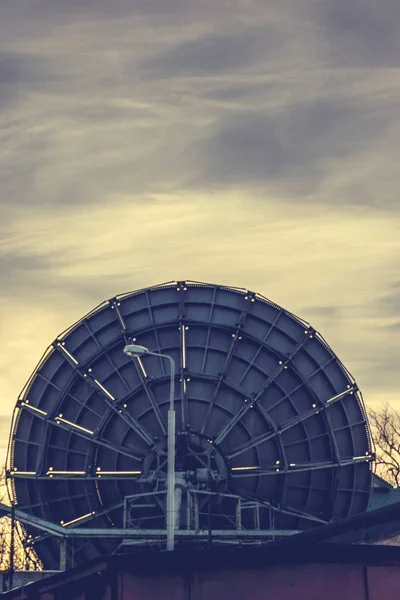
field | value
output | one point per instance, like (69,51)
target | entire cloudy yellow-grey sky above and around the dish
(251,143)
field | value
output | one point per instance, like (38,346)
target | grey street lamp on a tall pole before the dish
(136,351)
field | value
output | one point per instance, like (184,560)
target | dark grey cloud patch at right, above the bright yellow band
(294,147)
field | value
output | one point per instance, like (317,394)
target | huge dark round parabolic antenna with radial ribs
(271,437)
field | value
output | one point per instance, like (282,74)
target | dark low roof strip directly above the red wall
(217,558)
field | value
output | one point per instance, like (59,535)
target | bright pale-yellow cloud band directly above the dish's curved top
(291,254)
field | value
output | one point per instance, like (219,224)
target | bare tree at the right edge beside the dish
(385,426)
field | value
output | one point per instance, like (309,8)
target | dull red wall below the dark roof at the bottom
(297,582)
